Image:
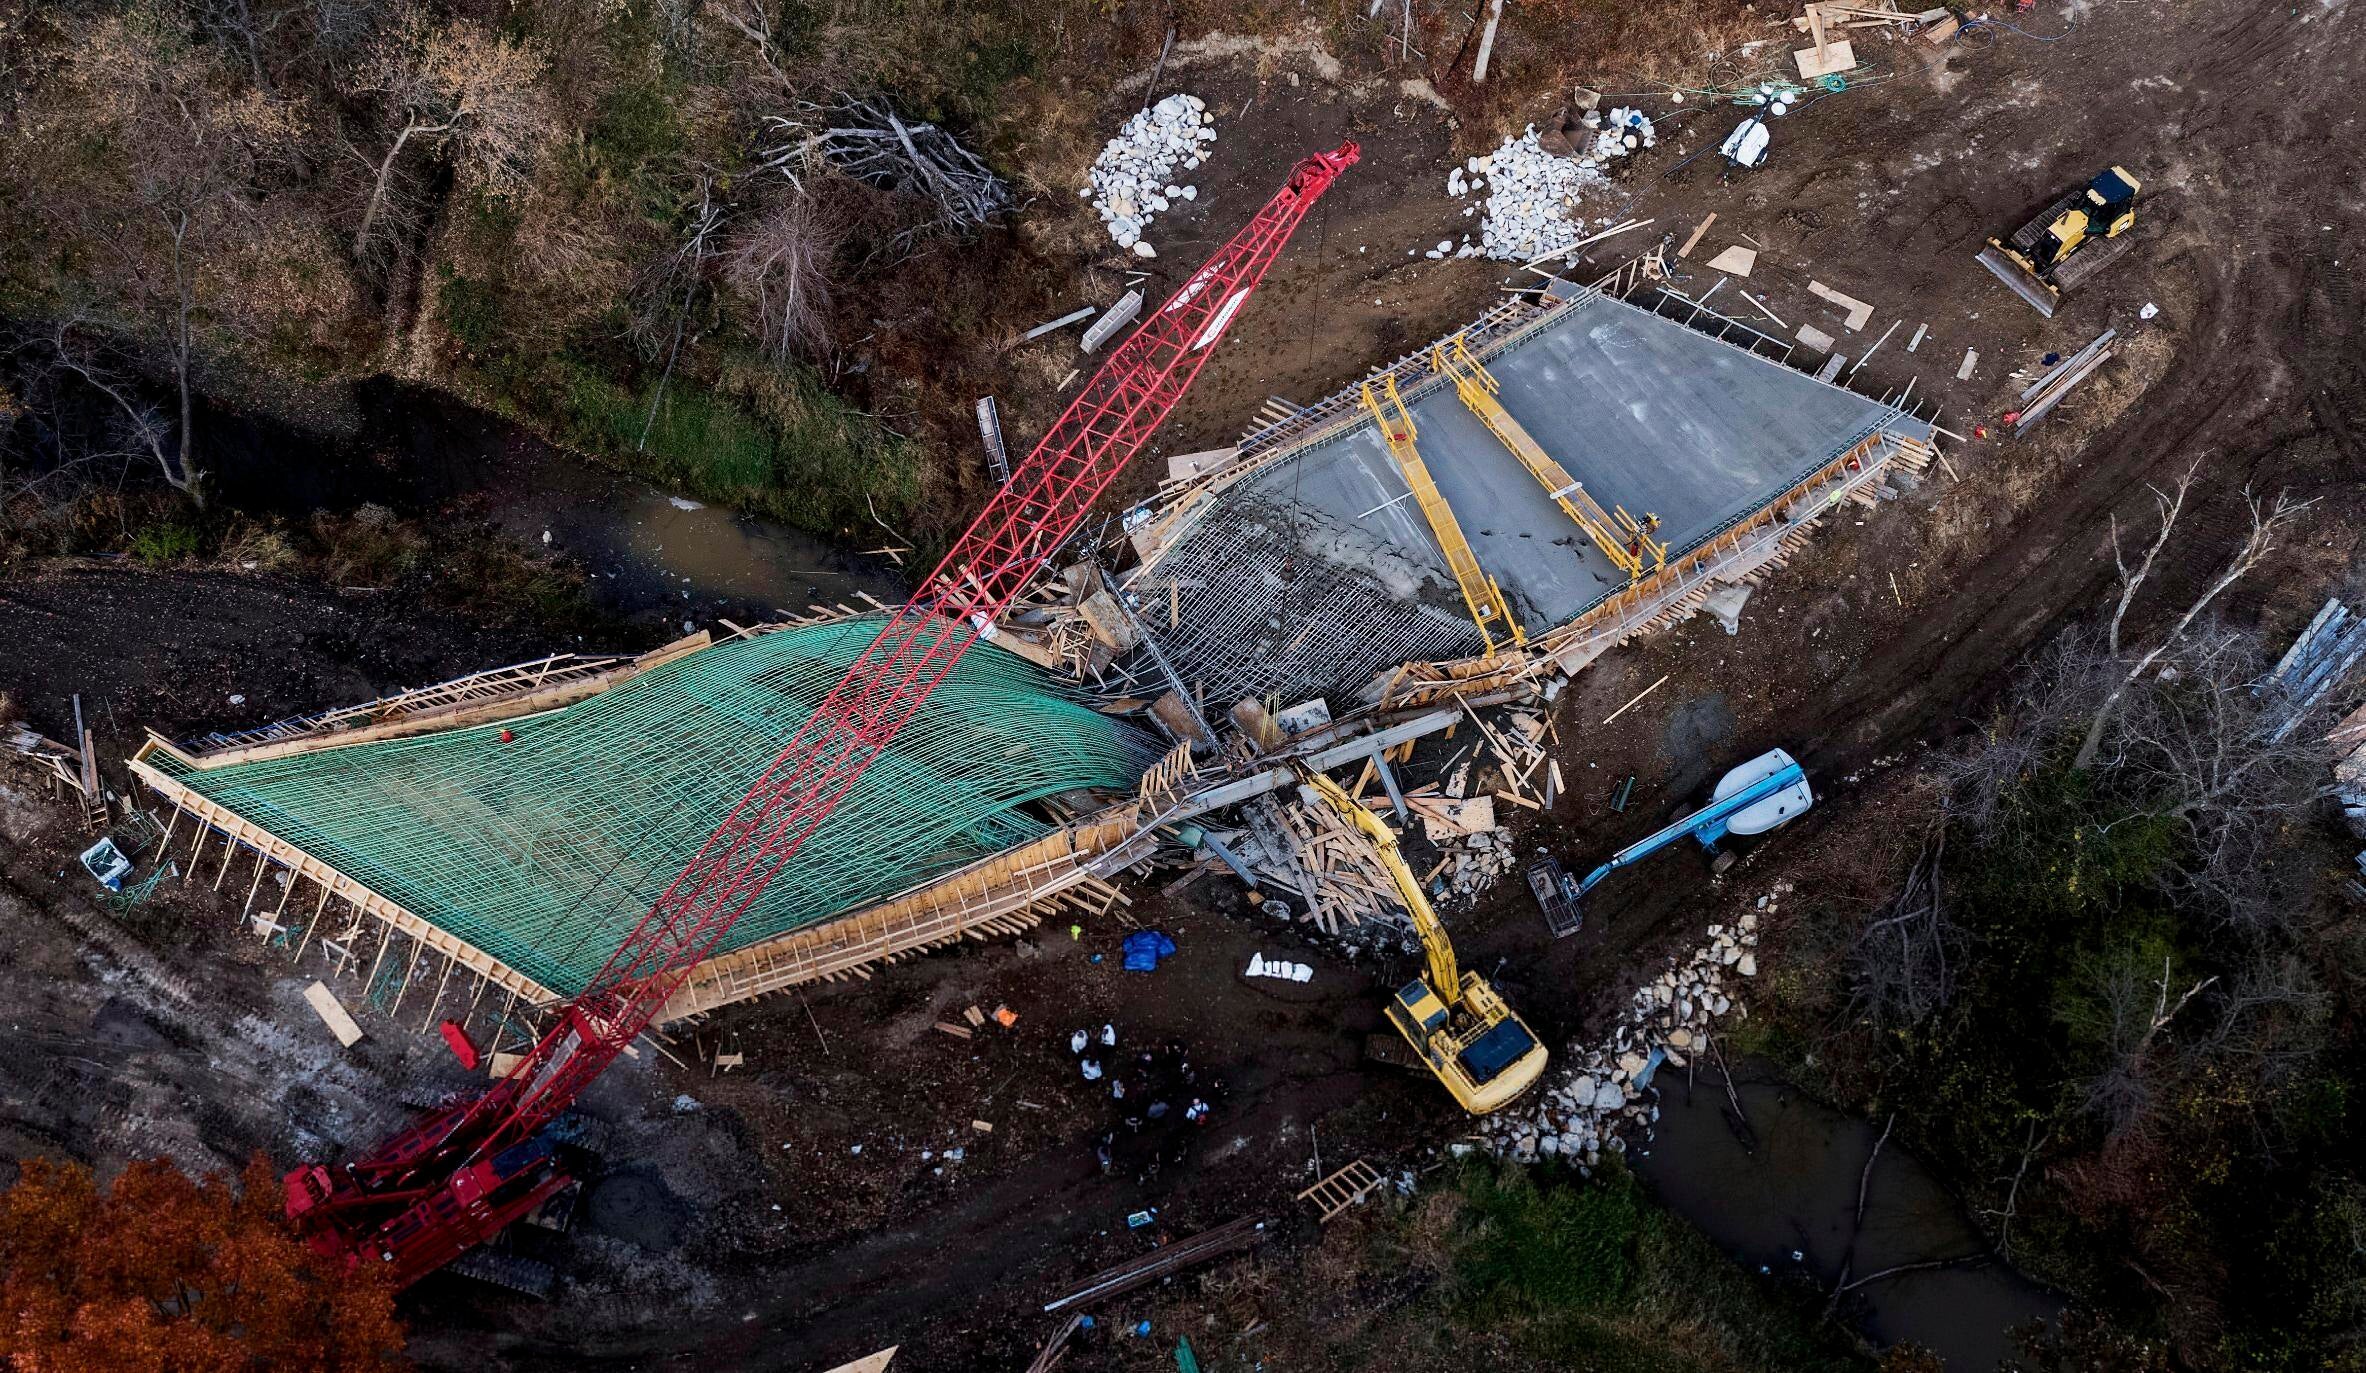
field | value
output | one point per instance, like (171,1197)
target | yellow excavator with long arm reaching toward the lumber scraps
(1456,1024)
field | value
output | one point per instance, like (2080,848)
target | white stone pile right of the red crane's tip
(1532,195)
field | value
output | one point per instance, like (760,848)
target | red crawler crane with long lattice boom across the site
(458,1178)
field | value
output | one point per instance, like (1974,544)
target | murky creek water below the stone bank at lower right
(1783,1197)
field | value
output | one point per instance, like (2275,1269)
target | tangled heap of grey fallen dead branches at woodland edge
(867,141)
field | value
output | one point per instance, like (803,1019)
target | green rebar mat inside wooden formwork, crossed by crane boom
(545,851)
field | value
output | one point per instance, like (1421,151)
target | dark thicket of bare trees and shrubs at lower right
(2102,1007)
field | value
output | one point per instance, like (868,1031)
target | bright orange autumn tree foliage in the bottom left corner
(172,1275)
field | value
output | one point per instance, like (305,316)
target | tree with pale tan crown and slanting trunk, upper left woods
(465,94)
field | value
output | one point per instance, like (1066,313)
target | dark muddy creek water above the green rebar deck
(649,553)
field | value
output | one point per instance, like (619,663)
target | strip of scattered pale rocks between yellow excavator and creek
(1605,1088)
